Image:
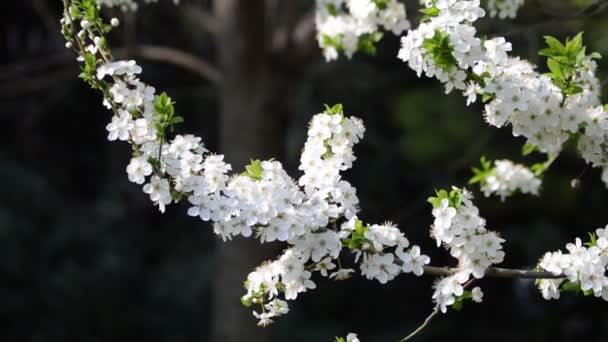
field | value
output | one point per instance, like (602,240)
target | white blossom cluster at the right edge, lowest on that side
(584,268)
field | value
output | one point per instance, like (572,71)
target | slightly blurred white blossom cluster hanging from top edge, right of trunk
(349,26)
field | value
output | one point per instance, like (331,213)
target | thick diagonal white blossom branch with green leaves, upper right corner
(545,109)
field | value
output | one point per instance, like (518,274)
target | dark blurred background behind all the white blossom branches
(84,256)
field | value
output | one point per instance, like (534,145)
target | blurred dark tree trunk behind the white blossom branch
(252,126)
